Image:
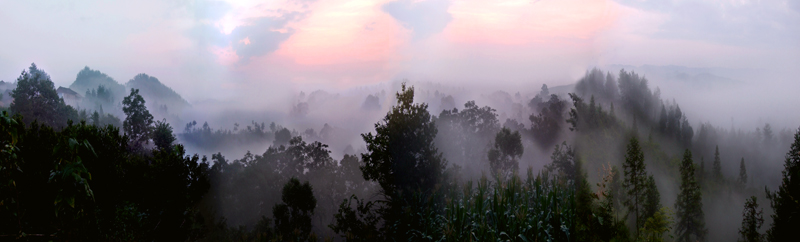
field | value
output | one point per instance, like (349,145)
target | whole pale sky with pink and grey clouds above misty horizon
(228,49)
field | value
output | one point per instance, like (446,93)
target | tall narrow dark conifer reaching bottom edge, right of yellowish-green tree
(691,224)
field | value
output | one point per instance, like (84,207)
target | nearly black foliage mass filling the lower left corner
(81,183)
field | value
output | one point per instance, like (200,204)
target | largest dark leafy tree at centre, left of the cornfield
(401,155)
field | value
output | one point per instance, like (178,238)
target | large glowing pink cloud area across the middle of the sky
(345,43)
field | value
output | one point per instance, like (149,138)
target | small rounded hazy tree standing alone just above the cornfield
(503,156)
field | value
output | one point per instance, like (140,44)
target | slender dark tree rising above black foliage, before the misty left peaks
(139,123)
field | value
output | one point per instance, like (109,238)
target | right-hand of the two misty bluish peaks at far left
(157,94)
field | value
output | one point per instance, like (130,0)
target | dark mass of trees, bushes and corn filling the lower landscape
(89,180)
